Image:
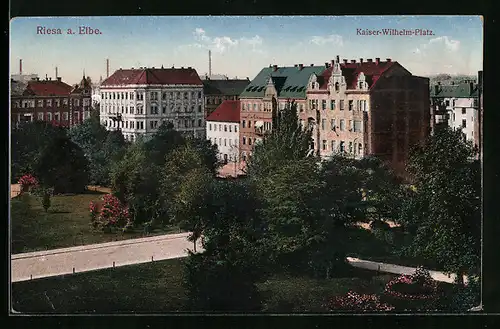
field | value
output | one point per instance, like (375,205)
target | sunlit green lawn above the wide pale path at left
(66,224)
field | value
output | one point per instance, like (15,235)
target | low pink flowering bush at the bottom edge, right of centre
(357,302)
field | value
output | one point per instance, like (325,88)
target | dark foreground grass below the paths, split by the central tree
(157,288)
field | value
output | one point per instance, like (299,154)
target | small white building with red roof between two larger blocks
(223,130)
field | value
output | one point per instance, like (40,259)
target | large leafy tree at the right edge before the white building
(443,212)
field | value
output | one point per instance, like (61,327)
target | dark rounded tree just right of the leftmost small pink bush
(63,166)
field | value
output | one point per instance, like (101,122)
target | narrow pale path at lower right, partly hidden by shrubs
(398,269)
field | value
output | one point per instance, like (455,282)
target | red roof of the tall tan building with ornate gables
(351,71)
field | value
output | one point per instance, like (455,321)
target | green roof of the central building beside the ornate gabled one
(290,82)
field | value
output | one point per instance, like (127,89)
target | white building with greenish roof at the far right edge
(457,106)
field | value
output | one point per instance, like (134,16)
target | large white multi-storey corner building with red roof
(138,101)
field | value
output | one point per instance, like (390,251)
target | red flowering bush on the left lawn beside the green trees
(109,213)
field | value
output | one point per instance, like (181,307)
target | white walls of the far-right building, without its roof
(462,115)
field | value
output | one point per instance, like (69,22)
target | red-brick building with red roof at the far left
(50,100)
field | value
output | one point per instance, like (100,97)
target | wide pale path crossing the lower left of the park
(56,262)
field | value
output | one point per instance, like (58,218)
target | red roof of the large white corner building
(147,76)
